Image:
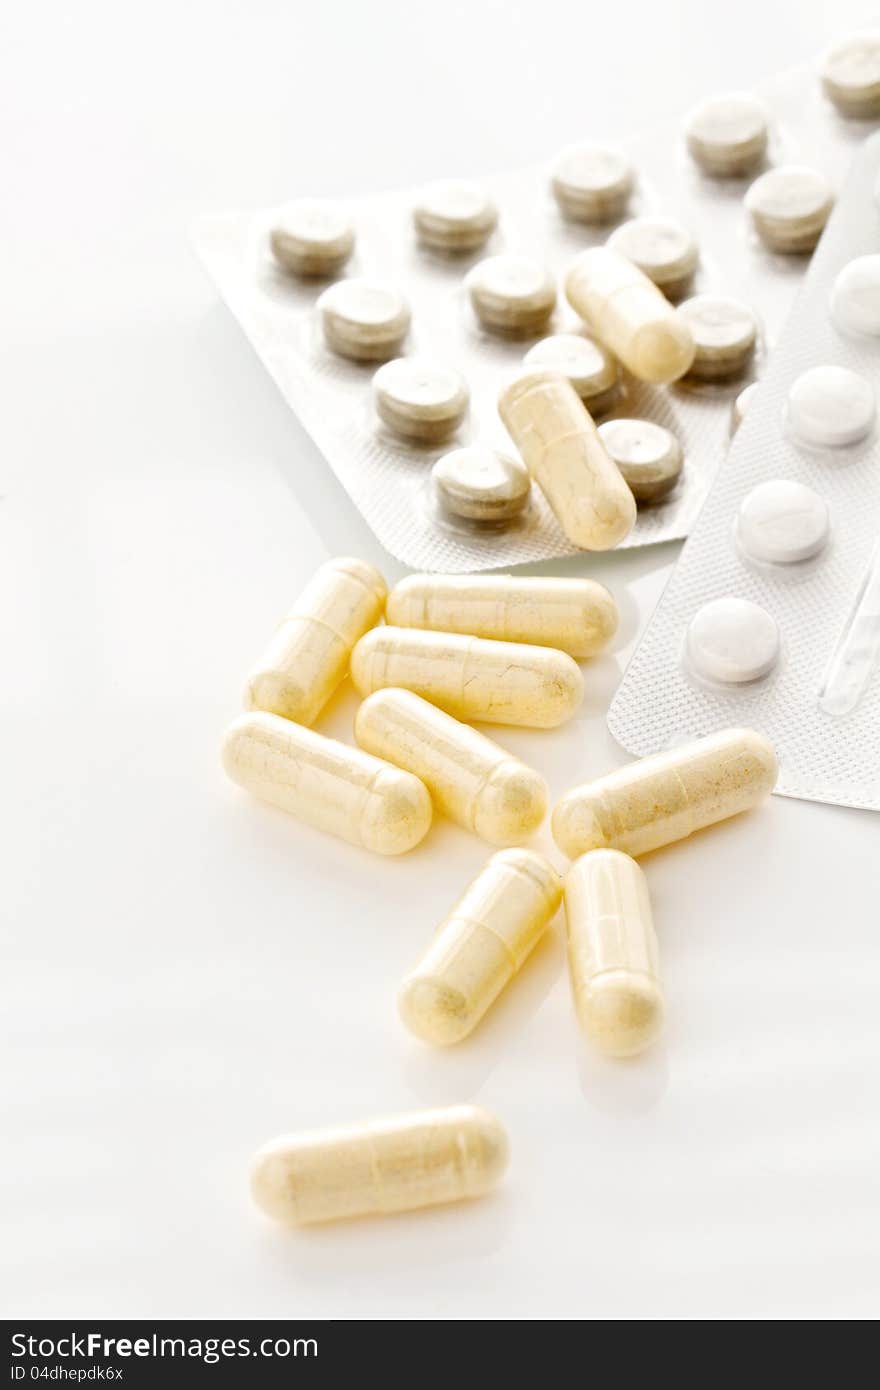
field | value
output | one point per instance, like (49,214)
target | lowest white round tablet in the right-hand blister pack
(732,641)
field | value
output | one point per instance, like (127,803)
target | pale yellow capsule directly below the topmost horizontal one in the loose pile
(496,683)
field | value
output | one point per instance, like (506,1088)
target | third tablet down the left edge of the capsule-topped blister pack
(421,400)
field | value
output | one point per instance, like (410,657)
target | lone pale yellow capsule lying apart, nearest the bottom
(387,1166)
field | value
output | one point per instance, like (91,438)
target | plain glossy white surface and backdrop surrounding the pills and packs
(188,974)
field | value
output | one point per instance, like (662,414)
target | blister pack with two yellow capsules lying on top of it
(391,480)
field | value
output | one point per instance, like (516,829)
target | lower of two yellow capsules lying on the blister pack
(567,458)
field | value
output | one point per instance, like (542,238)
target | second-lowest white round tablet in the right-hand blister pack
(782,523)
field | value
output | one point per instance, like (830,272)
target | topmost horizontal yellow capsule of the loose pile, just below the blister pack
(576,616)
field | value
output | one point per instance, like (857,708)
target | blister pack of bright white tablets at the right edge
(772,615)
